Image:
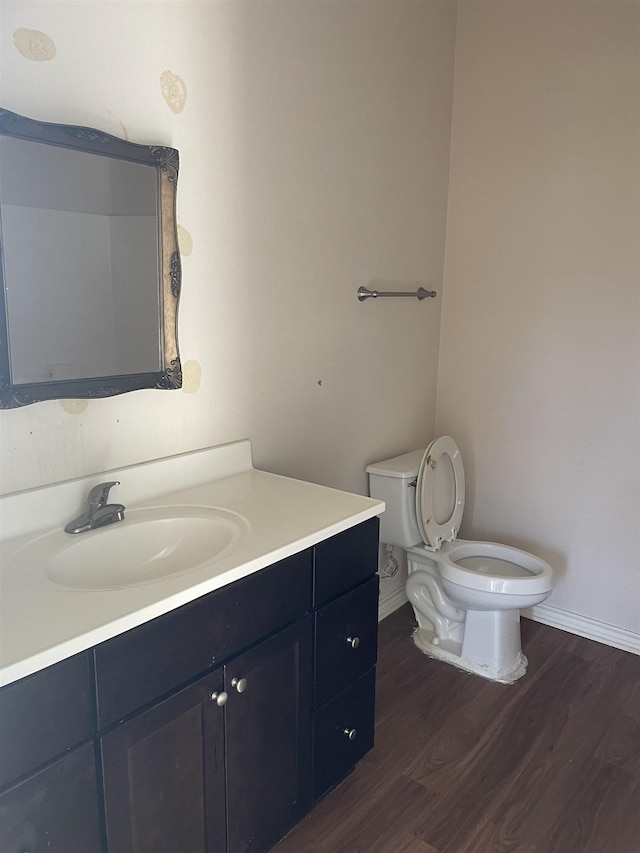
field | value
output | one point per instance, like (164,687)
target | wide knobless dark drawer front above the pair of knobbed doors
(174,648)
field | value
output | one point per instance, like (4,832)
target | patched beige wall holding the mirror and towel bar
(314,148)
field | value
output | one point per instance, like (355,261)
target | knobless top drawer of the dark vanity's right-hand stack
(345,560)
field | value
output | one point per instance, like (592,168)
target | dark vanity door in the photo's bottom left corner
(55,810)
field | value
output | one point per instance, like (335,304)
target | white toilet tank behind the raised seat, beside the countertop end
(394,482)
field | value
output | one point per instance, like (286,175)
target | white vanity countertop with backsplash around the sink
(42,623)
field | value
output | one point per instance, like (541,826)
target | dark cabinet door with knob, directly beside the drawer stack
(268,727)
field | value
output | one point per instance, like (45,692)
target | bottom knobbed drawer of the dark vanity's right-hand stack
(343,732)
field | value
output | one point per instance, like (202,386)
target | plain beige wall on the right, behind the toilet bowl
(539,374)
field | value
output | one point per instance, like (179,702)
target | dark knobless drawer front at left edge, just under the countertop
(44,715)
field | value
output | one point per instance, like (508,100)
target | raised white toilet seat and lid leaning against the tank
(440,492)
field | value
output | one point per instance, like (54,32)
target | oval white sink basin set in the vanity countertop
(149,545)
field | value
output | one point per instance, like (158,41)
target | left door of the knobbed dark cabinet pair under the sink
(164,775)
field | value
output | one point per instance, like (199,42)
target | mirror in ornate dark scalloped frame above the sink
(89,263)
